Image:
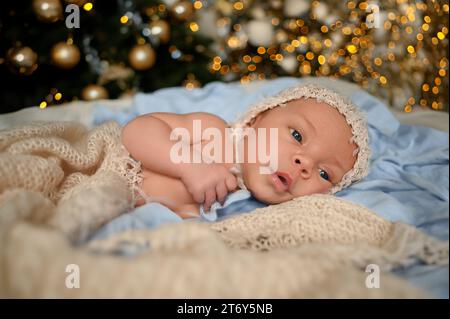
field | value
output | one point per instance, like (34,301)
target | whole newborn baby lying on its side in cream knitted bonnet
(321,145)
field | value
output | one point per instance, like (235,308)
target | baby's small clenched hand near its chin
(208,182)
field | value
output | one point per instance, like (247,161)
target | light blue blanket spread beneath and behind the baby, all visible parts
(408,180)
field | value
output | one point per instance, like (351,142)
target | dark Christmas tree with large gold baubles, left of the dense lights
(119,47)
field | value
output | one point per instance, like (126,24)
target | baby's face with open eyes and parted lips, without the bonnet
(314,151)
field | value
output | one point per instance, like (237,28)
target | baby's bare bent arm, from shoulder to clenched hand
(147,138)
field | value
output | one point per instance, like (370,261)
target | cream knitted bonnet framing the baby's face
(353,116)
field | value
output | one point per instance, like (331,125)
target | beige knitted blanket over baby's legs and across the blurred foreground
(59,182)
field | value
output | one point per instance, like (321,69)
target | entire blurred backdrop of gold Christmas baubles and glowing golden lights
(396,49)
